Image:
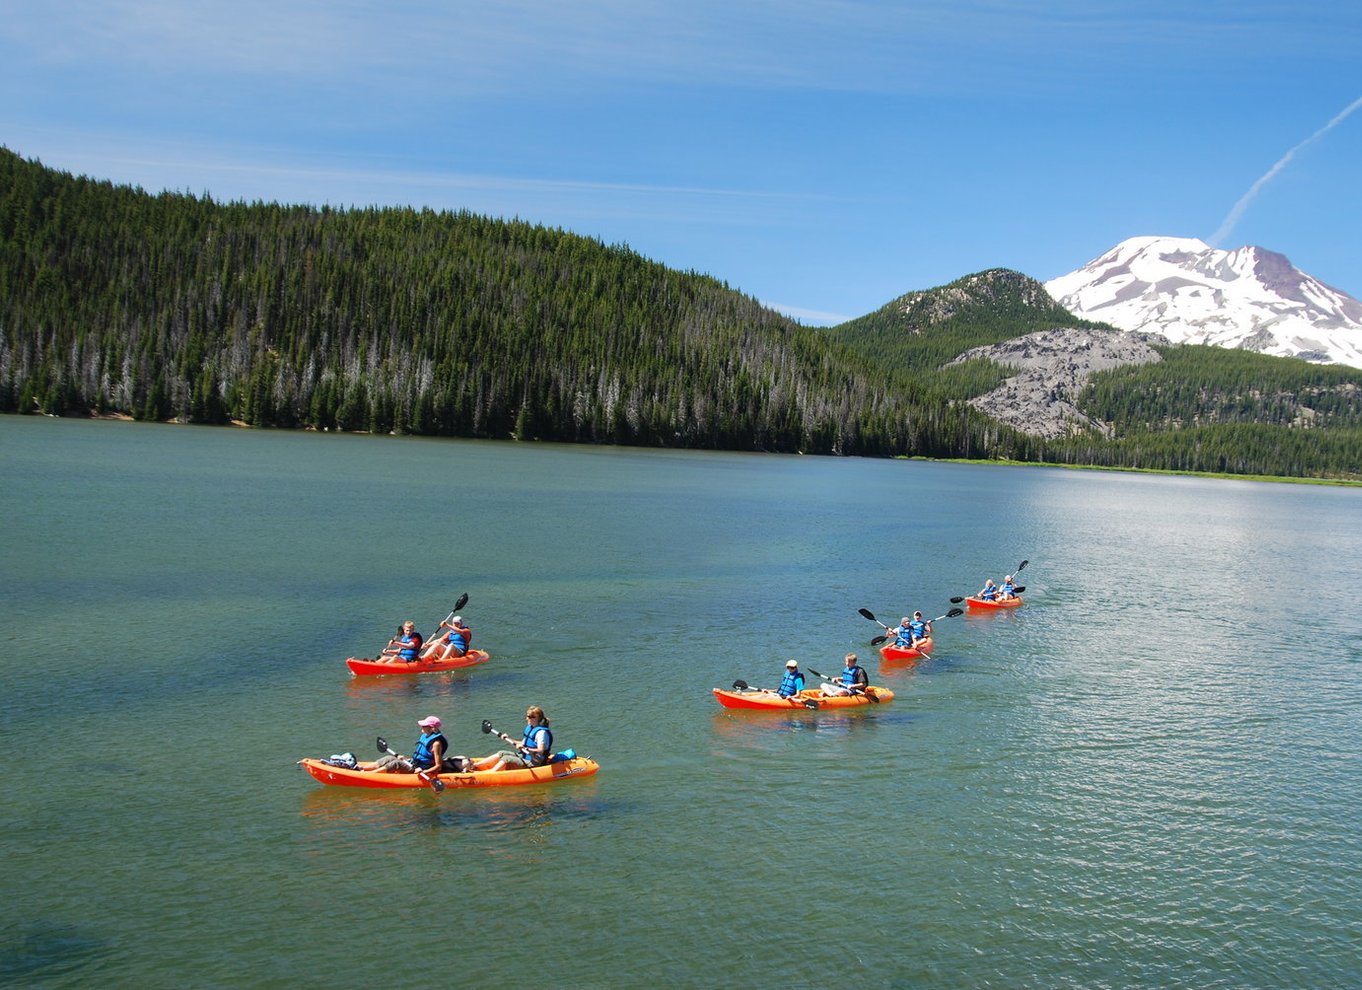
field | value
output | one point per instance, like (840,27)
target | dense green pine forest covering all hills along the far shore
(178,308)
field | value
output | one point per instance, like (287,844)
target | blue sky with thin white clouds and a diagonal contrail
(822,156)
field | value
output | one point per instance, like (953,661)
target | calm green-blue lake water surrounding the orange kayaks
(1149,777)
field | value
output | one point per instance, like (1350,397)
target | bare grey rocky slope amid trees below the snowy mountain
(1054,366)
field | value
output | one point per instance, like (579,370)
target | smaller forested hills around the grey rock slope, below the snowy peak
(1194,409)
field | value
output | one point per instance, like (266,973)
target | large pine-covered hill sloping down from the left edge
(175,307)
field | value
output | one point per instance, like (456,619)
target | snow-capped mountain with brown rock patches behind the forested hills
(1191,293)
